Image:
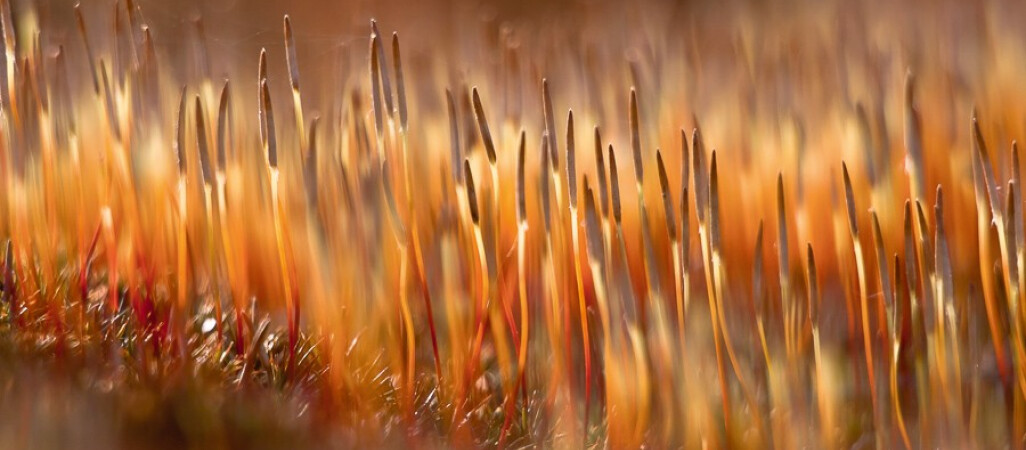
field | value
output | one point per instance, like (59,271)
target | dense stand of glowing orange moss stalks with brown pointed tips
(517,298)
